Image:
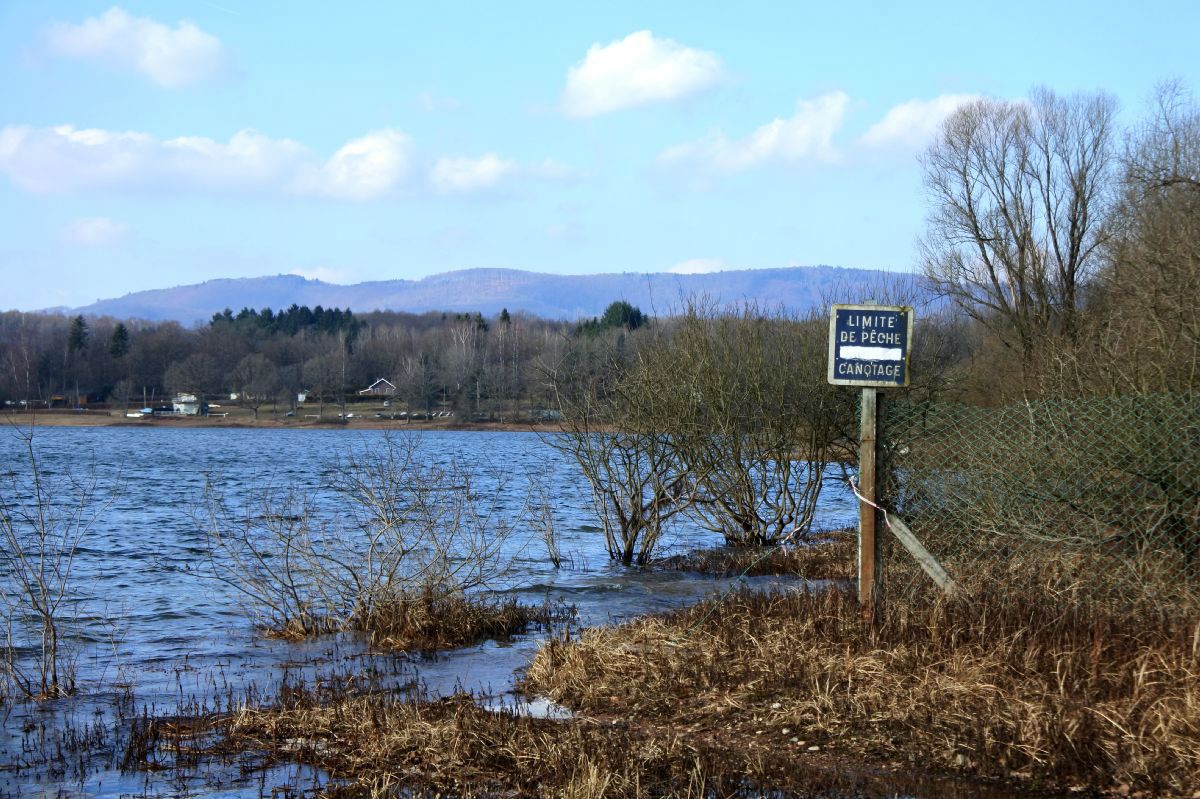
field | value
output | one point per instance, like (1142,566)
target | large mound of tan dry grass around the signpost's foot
(992,686)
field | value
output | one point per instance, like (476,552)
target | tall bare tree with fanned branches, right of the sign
(1019,195)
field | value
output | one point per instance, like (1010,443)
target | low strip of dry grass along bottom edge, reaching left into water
(383,746)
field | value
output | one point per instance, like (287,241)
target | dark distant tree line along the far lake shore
(475,365)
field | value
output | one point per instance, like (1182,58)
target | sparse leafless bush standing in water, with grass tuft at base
(389,545)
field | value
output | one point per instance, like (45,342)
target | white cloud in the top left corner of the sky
(170,57)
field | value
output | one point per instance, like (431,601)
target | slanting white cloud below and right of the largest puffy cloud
(807,135)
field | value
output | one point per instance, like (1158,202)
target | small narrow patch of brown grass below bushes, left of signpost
(829,556)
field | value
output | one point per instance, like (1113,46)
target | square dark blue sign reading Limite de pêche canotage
(869,345)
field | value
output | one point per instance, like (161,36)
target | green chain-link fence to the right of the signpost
(1097,498)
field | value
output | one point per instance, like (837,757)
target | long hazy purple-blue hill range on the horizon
(489,291)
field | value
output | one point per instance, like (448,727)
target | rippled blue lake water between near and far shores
(158,632)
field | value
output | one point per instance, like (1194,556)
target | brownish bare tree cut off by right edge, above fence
(1143,314)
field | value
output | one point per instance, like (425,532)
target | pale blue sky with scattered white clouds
(152,145)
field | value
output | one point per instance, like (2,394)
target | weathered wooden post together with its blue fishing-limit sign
(869,347)
